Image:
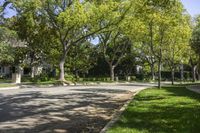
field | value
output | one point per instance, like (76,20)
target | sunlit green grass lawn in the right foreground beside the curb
(168,110)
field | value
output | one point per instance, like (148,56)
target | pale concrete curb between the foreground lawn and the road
(116,115)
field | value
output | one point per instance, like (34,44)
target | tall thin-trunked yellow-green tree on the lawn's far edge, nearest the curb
(159,17)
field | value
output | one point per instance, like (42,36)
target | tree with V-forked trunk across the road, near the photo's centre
(116,41)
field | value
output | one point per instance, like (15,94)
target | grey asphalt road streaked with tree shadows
(73,109)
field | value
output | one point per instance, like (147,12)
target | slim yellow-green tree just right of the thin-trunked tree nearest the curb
(177,45)
